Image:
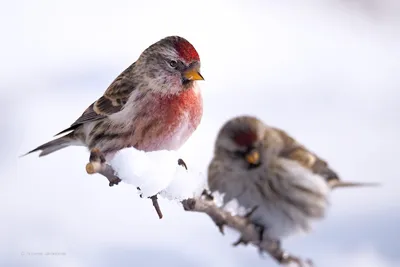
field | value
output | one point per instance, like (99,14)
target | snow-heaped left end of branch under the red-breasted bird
(159,173)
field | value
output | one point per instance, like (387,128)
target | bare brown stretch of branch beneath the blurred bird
(249,232)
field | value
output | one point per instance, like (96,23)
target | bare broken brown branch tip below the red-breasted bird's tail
(97,164)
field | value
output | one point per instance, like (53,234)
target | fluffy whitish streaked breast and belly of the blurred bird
(286,202)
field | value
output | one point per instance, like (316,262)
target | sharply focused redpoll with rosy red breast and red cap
(155,104)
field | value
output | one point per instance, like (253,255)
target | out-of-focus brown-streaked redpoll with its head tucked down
(265,169)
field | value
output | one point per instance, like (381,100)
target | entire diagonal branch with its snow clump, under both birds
(163,173)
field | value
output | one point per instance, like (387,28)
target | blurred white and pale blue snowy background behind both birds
(326,71)
